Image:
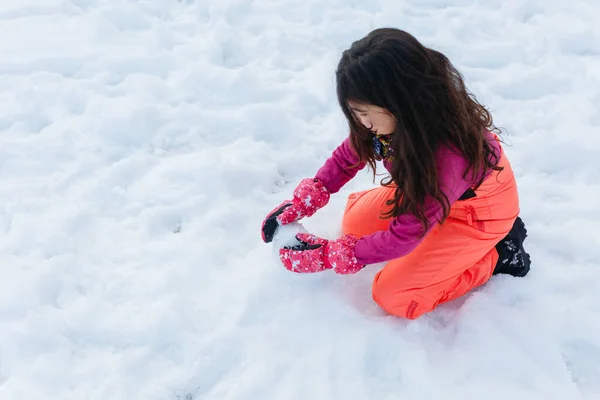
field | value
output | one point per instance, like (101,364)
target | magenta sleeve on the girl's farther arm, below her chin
(337,170)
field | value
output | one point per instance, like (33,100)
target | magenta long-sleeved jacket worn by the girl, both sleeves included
(403,233)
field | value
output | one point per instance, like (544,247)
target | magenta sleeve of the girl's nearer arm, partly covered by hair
(403,233)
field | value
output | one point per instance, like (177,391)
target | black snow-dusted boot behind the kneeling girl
(513,259)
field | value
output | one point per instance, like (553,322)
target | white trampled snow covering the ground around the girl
(143,142)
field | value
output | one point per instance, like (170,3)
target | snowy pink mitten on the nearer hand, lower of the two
(315,254)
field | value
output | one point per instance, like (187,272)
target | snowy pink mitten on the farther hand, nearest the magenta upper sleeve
(309,196)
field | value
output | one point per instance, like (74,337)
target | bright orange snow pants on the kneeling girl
(453,258)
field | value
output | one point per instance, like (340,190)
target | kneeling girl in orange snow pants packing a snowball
(446,219)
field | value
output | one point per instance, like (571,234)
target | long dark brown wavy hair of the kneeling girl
(420,87)
